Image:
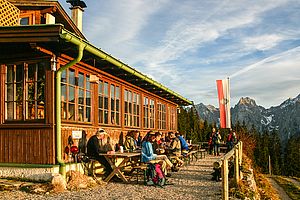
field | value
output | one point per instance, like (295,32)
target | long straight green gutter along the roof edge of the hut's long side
(74,39)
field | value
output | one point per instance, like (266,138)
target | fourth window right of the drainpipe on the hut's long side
(149,113)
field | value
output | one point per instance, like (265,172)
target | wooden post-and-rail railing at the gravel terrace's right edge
(236,153)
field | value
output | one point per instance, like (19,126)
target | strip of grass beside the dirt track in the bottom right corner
(292,190)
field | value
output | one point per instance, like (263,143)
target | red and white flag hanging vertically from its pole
(224,103)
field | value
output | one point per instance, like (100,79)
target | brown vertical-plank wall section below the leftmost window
(30,146)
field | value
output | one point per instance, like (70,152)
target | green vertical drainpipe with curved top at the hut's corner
(62,165)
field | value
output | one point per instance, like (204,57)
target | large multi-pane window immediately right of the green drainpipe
(75,96)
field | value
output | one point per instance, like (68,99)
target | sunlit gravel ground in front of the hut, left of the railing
(191,182)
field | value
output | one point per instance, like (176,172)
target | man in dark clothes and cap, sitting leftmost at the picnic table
(95,146)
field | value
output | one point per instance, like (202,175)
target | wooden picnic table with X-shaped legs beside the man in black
(117,169)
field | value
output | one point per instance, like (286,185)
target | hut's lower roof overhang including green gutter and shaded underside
(19,39)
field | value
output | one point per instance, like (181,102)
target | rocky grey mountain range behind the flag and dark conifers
(284,118)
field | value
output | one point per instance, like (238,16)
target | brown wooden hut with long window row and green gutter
(53,82)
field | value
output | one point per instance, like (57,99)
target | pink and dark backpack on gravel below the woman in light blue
(155,175)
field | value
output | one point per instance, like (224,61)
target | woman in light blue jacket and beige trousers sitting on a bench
(149,156)
